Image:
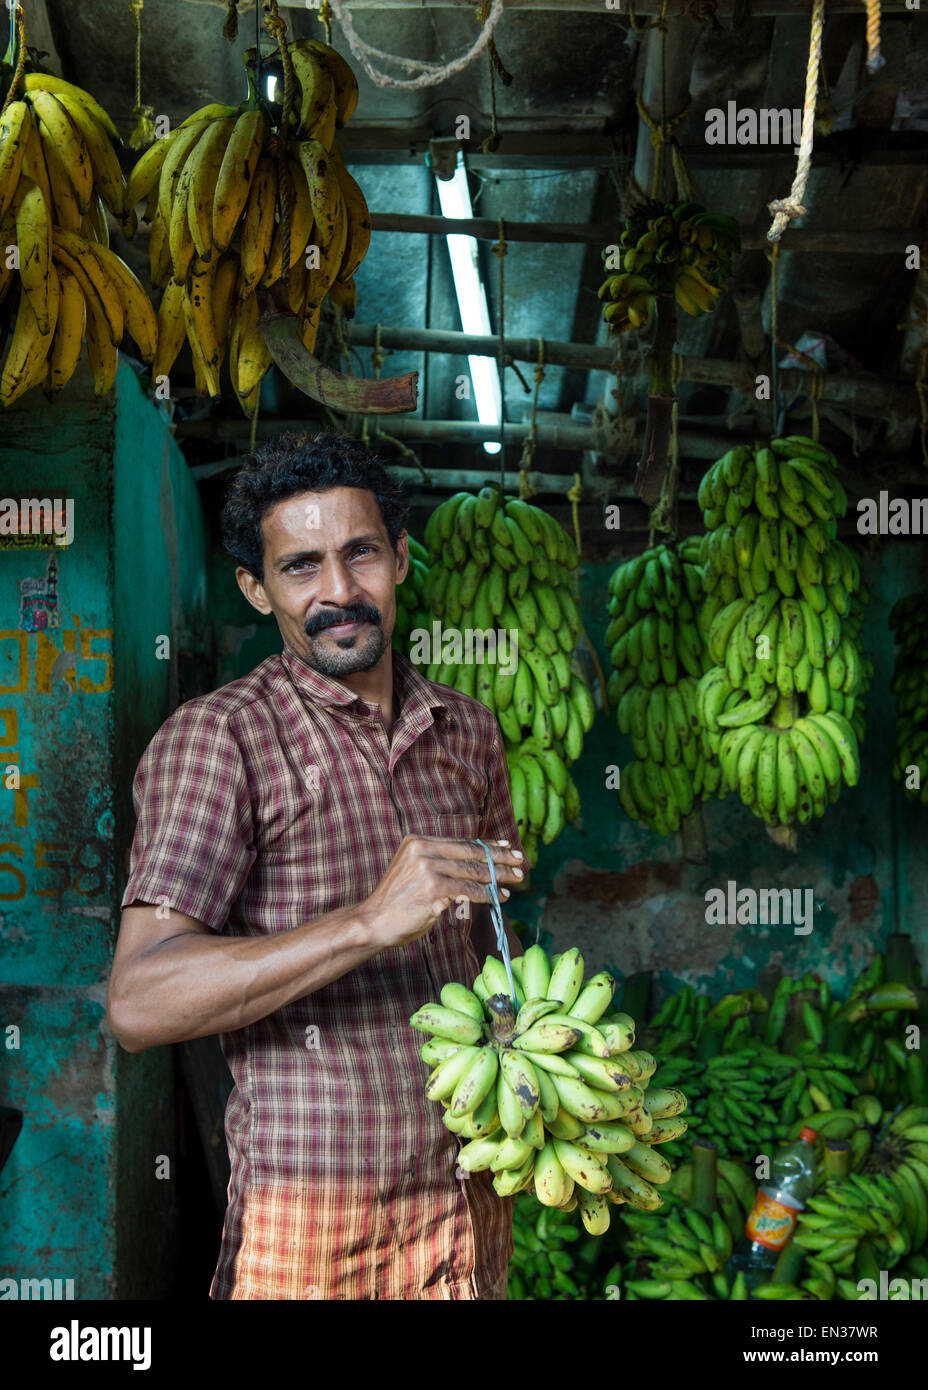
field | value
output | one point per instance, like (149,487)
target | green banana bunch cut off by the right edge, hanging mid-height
(909,622)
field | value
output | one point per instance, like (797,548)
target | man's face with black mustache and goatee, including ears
(330,579)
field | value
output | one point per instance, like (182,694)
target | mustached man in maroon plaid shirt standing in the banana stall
(301,883)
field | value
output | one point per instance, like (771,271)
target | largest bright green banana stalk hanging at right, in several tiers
(781,626)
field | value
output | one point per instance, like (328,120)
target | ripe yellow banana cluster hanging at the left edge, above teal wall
(59,173)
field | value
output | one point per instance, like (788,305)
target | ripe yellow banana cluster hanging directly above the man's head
(229,197)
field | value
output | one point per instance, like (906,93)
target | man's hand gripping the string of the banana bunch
(426,876)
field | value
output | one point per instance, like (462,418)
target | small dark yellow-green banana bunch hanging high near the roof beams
(668,247)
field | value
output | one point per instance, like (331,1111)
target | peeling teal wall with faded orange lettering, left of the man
(80,697)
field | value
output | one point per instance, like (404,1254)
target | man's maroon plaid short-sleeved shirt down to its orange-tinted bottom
(266,804)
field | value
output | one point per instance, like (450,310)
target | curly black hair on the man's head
(295,464)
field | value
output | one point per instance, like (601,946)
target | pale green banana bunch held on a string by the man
(548,1089)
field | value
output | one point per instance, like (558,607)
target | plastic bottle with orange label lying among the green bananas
(773,1218)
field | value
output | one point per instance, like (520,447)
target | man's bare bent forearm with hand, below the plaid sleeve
(173,979)
